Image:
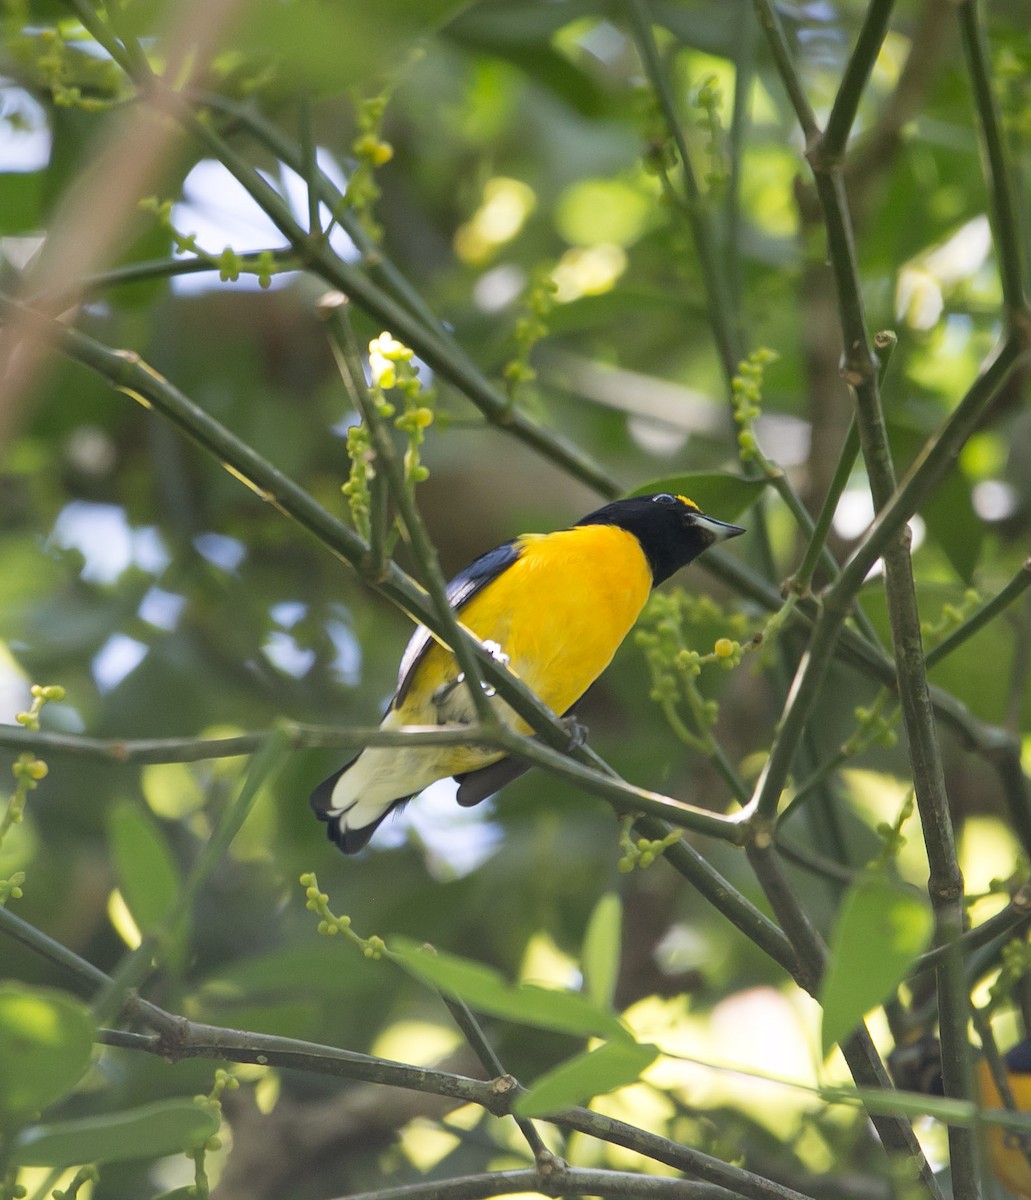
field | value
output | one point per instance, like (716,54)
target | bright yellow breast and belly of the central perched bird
(560,614)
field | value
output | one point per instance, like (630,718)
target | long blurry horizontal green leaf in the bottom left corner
(152,1131)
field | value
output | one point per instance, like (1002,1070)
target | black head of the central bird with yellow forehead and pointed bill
(673,530)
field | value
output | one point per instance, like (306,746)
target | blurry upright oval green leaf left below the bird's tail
(147,872)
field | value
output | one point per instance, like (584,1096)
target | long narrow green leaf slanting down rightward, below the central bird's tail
(488,992)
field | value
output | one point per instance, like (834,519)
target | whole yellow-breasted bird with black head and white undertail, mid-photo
(554,609)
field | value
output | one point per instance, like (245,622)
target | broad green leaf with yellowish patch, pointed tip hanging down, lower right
(883,928)
